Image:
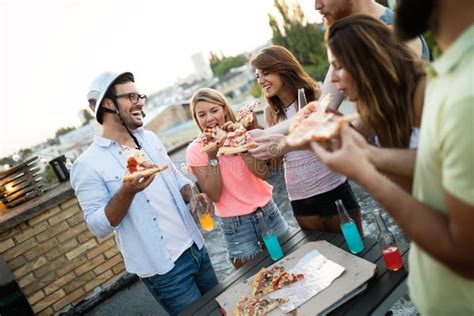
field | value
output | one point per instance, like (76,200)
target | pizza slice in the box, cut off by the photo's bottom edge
(256,306)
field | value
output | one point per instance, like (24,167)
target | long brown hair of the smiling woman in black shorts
(278,59)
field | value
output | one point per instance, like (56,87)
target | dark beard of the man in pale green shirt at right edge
(413,18)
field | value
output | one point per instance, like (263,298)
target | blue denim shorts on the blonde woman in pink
(243,234)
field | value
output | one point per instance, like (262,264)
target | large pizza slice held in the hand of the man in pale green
(318,127)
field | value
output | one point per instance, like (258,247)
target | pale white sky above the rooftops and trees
(50,51)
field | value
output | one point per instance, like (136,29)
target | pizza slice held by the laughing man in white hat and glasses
(139,165)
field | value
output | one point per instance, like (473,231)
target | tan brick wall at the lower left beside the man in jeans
(56,261)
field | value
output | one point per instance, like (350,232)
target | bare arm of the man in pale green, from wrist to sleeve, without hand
(447,237)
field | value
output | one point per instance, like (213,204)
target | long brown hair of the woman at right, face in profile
(386,73)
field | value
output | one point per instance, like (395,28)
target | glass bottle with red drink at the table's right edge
(387,244)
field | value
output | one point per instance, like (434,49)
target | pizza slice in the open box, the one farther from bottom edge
(270,280)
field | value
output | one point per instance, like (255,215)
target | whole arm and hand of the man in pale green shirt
(447,237)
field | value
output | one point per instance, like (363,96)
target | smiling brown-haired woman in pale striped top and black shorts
(312,187)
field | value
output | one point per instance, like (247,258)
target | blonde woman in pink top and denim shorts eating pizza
(236,184)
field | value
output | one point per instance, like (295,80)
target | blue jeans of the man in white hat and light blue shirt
(191,277)
